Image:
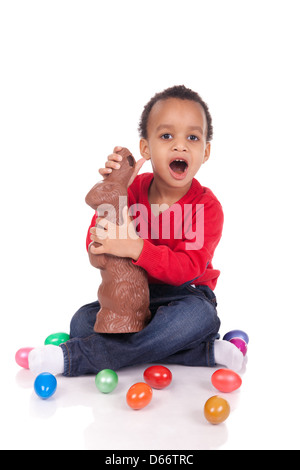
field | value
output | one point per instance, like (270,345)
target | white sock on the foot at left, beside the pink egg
(48,358)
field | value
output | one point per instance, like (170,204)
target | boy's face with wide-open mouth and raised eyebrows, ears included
(176,141)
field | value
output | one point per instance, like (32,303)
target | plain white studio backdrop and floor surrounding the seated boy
(74,78)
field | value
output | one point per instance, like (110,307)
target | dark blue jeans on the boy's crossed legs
(182,330)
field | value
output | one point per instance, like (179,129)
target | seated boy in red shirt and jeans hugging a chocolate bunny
(175,130)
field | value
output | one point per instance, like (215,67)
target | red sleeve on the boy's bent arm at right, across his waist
(178,266)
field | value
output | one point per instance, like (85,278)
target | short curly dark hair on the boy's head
(177,91)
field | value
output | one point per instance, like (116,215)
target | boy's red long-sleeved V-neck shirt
(179,243)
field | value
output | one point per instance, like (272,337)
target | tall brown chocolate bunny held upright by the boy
(124,292)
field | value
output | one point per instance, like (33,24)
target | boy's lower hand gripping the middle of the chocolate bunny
(118,240)
